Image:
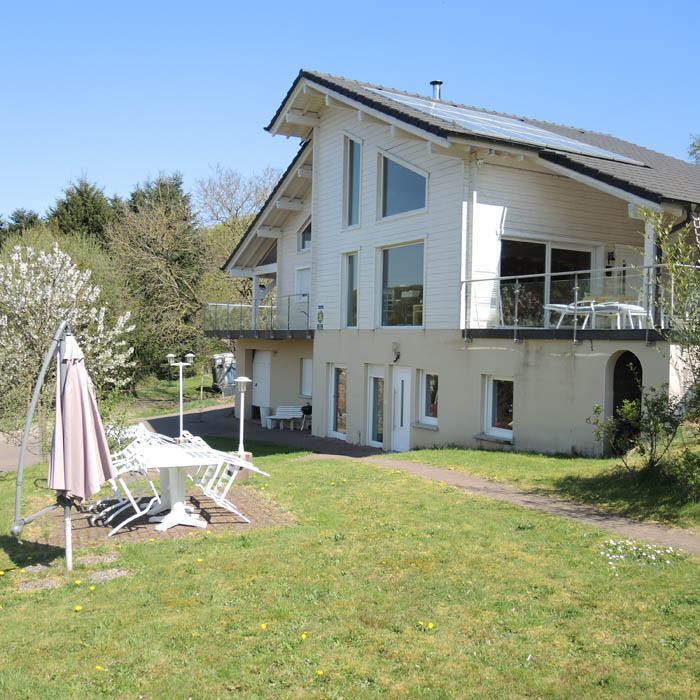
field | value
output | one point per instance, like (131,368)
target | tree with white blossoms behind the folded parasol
(38,290)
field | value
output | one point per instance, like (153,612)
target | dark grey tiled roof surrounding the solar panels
(661,177)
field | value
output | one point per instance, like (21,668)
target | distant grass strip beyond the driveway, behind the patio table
(155,397)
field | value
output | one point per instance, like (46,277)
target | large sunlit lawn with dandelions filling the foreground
(522,605)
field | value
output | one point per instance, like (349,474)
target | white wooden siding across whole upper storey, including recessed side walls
(538,203)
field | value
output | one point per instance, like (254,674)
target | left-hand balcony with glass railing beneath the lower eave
(286,317)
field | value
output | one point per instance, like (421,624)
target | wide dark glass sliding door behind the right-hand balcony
(520,258)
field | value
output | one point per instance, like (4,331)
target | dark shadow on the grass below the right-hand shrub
(633,495)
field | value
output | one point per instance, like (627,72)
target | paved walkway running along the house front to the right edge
(222,422)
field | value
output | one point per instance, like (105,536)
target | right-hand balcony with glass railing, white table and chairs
(635,302)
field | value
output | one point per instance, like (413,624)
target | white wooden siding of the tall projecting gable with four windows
(439,225)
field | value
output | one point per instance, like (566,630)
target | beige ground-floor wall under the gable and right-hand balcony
(556,384)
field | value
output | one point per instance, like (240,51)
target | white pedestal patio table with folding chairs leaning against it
(174,460)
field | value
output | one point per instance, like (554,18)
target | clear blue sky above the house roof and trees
(118,92)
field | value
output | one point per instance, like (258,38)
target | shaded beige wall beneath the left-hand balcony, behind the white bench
(285,369)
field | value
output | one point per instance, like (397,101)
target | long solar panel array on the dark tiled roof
(499,127)
